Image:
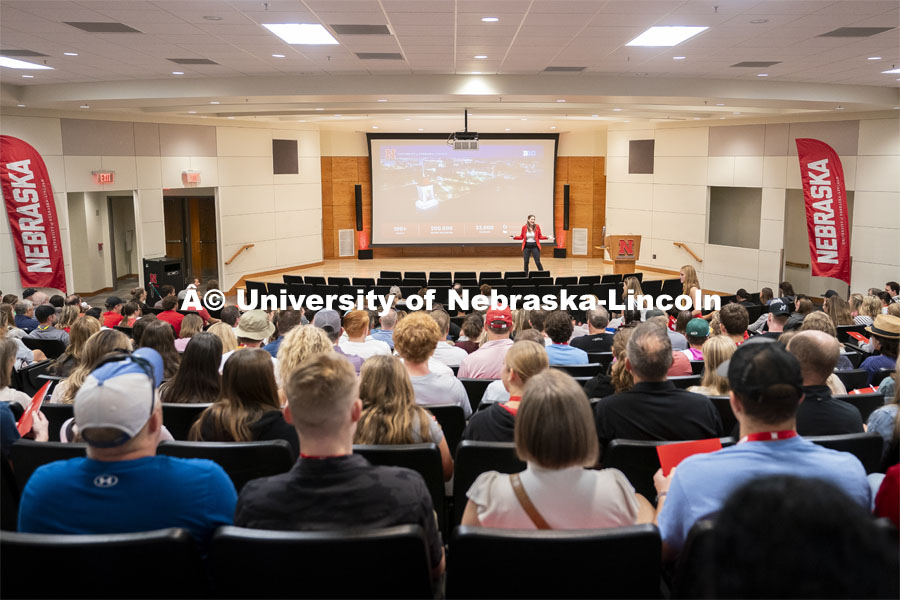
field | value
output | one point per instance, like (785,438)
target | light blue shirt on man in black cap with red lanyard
(703,482)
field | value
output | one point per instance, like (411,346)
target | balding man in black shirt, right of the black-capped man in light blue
(820,413)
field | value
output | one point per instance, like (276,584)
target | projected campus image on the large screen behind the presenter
(424,192)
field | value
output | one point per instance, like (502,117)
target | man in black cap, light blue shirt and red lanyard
(766,389)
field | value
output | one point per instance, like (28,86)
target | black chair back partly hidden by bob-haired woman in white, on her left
(473,459)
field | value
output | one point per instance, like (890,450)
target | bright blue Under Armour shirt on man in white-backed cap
(82,495)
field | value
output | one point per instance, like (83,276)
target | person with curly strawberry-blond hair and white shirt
(415,339)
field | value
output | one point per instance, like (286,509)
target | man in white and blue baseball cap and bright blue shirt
(122,486)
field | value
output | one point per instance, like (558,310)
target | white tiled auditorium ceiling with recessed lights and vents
(410,64)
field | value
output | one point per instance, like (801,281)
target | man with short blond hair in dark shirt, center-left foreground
(329,487)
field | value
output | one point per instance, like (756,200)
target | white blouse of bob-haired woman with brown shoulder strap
(570,498)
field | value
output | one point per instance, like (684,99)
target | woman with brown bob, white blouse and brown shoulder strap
(553,434)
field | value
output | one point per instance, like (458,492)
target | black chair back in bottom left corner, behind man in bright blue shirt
(102,565)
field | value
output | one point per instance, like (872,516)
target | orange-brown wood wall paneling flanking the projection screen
(586,176)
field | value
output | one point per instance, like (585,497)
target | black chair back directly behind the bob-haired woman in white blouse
(622,562)
